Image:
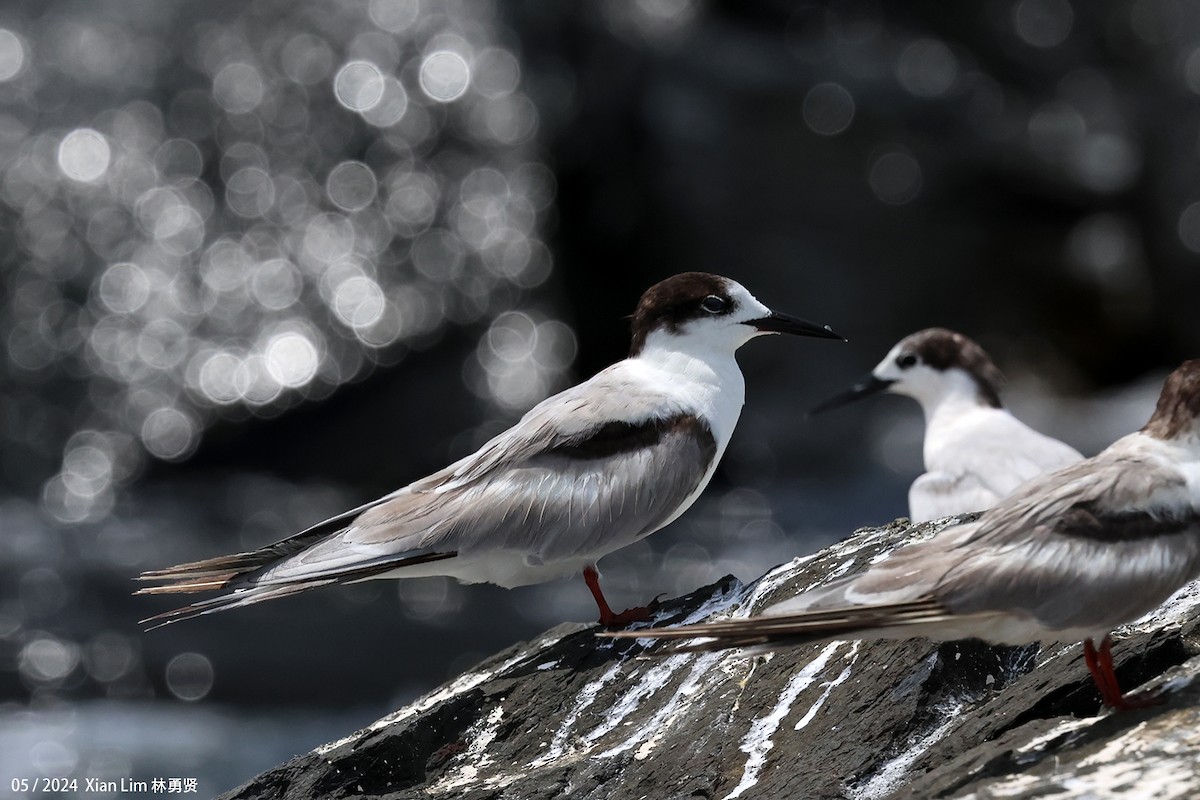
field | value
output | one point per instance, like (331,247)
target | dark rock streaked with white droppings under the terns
(574,717)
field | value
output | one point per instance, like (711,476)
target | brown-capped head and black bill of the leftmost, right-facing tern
(704,310)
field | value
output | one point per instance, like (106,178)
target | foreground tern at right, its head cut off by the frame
(1067,558)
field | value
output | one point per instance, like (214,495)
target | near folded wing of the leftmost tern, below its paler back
(575,501)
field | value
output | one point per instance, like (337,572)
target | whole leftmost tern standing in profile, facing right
(585,473)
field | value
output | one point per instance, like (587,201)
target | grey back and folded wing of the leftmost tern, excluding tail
(585,472)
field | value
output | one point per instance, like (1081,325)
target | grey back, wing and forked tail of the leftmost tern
(583,474)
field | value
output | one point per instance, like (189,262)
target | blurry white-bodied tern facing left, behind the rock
(976,452)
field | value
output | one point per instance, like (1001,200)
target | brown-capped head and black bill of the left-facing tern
(929,366)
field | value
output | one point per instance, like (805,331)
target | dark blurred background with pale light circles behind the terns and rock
(267,261)
